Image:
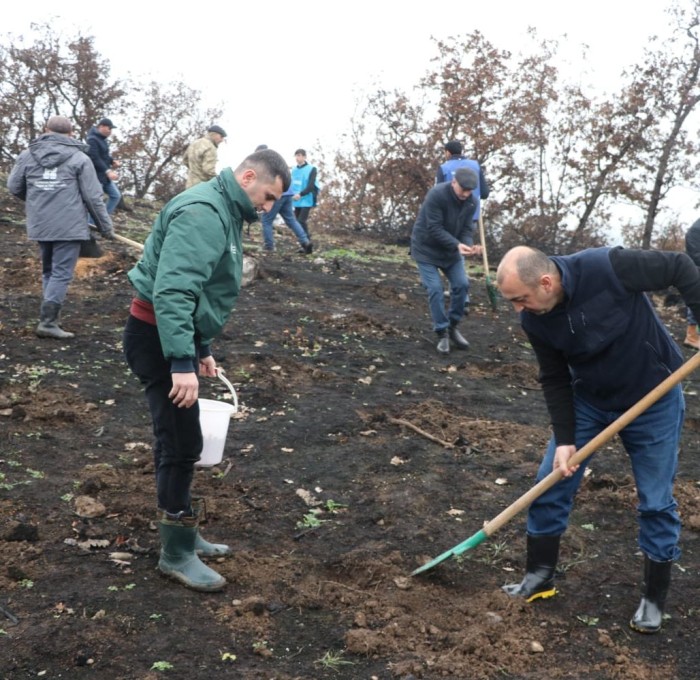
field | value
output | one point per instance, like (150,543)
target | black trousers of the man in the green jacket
(177,432)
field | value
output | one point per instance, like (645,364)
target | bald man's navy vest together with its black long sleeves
(605,342)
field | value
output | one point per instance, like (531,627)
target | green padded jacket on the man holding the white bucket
(192,263)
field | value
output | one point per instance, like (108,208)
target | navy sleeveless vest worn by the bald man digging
(616,347)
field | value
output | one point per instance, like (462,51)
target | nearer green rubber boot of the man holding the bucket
(178,558)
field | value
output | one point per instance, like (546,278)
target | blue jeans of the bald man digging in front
(651,442)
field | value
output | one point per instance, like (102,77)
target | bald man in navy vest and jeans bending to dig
(601,348)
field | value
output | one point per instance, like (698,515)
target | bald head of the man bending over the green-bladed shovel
(529,280)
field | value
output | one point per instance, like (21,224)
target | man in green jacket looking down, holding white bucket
(187,282)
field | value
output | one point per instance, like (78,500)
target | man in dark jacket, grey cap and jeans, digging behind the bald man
(439,242)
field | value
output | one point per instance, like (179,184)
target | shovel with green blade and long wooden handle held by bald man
(553,477)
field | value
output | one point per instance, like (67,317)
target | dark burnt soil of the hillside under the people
(327,499)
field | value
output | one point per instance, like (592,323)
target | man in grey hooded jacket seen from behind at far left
(57,180)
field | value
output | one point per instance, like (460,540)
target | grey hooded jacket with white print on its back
(58,182)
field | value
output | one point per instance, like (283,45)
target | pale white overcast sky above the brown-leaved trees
(289,73)
